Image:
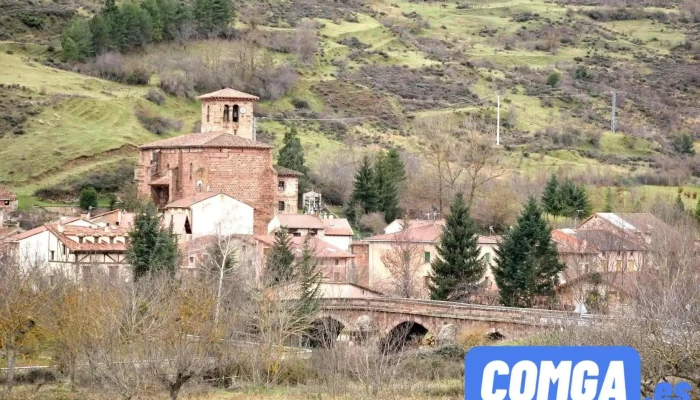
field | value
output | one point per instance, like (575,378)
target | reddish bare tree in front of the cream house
(403,261)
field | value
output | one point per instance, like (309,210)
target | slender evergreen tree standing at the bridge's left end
(309,277)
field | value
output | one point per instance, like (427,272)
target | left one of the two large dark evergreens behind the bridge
(459,262)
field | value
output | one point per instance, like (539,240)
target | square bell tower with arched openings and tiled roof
(228,111)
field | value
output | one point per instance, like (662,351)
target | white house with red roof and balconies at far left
(75,247)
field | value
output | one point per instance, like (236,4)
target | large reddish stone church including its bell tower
(223,158)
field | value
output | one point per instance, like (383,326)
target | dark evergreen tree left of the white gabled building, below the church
(151,247)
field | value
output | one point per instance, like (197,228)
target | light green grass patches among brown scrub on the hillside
(94,125)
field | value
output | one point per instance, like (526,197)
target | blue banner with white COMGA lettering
(552,373)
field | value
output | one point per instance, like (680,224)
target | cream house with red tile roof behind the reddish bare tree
(421,240)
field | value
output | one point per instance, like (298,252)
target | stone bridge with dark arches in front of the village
(387,317)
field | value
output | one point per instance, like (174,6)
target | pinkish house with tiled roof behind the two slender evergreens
(335,263)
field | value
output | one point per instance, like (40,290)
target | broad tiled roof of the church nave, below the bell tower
(206,139)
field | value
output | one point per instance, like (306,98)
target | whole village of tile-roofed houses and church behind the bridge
(222,184)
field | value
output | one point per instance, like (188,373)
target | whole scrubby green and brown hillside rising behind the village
(380,67)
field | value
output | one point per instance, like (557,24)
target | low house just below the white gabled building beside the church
(195,255)
